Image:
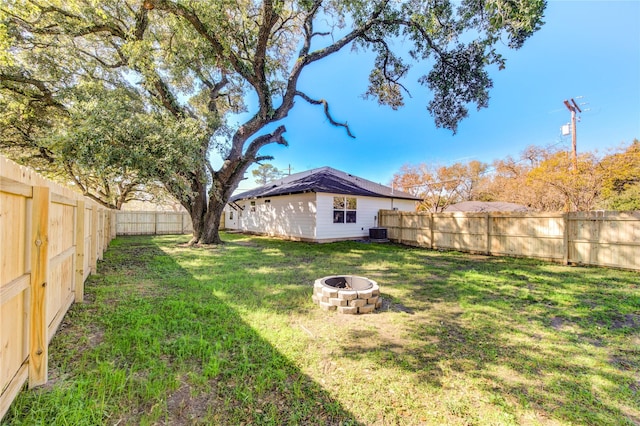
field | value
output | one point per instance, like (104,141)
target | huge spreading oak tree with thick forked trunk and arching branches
(199,61)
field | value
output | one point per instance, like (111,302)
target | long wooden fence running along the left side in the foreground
(50,241)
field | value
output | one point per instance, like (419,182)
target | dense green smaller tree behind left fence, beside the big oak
(102,142)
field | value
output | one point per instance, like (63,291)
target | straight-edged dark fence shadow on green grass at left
(153,345)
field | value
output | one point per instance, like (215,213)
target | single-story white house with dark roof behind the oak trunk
(318,205)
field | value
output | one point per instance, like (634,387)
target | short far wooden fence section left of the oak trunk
(152,223)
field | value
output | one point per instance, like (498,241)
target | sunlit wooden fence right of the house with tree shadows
(586,238)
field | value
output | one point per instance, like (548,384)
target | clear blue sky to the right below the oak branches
(586,48)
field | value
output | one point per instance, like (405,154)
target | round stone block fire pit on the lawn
(348,294)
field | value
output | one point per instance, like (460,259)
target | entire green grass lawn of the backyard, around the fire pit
(229,335)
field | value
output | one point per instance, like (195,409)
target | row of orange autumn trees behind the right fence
(542,179)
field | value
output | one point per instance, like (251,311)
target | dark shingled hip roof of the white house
(324,179)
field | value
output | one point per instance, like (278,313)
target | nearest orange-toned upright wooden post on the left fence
(39,247)
